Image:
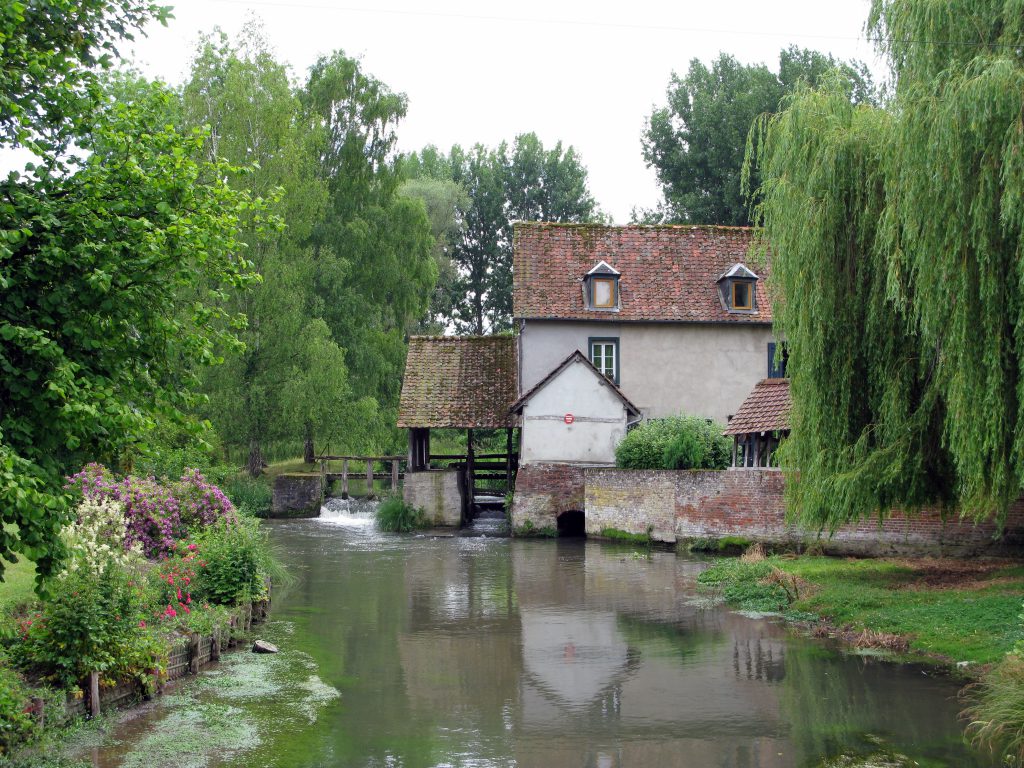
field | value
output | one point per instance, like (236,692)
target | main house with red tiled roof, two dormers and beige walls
(677,318)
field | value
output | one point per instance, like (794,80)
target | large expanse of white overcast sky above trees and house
(583,73)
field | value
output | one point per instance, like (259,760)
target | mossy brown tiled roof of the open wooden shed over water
(463,382)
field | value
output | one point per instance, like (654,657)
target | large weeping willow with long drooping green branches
(897,241)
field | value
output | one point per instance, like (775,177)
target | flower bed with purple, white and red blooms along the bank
(149,568)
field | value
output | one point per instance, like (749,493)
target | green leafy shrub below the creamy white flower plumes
(91,623)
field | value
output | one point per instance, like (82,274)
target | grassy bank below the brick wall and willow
(936,610)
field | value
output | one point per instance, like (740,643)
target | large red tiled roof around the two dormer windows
(668,273)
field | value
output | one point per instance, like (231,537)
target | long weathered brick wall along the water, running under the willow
(748,503)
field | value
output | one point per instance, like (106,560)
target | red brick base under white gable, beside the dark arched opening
(542,493)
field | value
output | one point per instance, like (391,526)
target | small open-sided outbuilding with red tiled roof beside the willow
(760,424)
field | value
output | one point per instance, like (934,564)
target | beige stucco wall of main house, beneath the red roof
(701,369)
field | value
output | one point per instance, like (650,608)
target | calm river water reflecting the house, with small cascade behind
(489,652)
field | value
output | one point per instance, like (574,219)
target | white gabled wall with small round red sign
(600,420)
